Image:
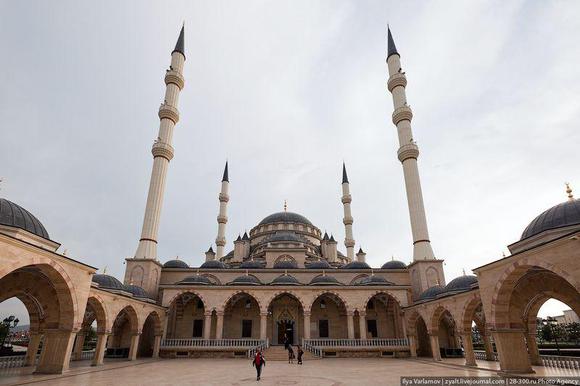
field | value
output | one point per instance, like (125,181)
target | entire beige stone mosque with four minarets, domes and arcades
(286,278)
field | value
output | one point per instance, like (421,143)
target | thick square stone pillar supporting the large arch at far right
(512,351)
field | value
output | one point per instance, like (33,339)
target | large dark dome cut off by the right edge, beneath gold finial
(561,215)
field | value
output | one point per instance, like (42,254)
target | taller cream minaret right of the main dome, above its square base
(408,154)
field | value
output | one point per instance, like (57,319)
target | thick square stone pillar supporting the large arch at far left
(56,352)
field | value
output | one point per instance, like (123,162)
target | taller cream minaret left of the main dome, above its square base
(162,152)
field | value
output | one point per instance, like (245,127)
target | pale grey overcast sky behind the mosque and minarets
(286,91)
